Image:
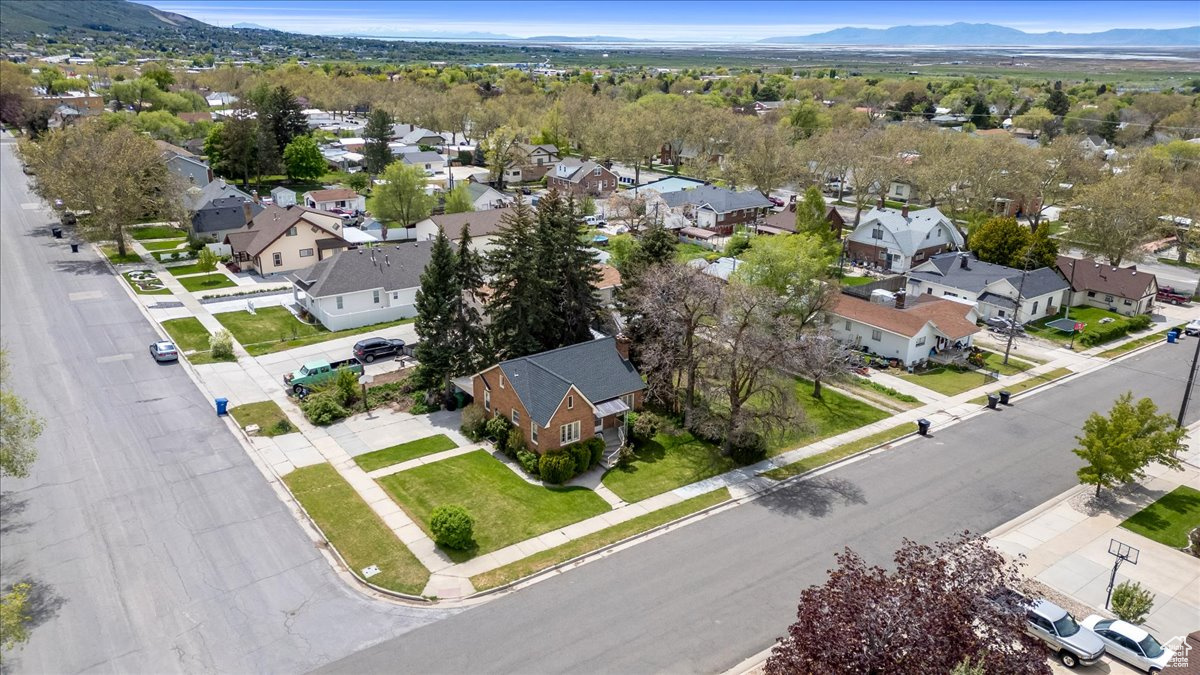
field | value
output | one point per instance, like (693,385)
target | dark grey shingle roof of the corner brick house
(595,368)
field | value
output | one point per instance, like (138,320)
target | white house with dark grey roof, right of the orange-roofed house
(993,289)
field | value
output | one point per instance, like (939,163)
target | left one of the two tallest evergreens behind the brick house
(518,303)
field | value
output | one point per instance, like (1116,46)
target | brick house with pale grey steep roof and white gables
(897,241)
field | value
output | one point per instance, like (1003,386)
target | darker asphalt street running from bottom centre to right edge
(704,599)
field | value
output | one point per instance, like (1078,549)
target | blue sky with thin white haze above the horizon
(700,21)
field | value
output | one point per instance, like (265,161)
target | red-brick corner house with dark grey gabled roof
(565,396)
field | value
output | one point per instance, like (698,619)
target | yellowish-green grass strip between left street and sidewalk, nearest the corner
(355,530)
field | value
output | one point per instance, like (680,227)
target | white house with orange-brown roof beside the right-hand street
(908,330)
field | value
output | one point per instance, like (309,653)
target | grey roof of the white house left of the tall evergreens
(392,267)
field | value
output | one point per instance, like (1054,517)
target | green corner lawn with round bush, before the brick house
(507,510)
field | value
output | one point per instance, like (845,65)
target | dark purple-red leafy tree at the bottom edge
(928,616)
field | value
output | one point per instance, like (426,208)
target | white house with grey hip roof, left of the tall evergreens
(363,286)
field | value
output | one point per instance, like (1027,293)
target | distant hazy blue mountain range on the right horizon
(991,35)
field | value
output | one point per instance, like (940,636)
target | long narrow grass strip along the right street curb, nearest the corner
(539,561)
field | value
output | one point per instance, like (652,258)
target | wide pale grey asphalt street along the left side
(152,541)
